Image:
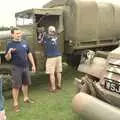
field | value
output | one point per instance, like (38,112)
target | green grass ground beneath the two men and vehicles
(47,106)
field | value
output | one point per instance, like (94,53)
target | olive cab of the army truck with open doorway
(30,21)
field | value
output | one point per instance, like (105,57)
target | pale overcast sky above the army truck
(8,8)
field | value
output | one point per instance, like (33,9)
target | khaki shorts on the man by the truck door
(54,64)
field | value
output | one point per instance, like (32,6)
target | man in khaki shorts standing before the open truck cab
(54,58)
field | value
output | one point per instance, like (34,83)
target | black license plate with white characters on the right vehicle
(112,85)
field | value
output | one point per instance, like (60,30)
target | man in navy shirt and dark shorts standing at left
(18,52)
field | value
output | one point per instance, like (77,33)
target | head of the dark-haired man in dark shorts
(16,33)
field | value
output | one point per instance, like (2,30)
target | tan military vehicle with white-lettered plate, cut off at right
(101,79)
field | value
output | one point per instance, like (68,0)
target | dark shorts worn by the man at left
(20,76)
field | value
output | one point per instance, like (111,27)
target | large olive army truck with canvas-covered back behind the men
(80,24)
